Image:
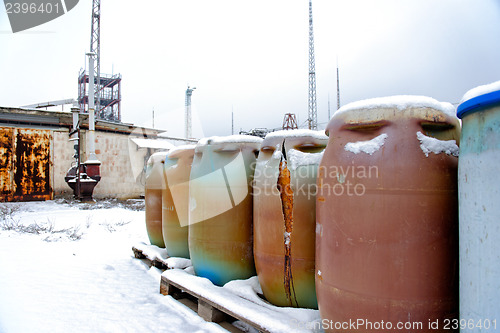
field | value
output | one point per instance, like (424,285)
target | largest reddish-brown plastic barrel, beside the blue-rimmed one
(387,216)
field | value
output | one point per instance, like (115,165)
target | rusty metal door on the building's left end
(25,164)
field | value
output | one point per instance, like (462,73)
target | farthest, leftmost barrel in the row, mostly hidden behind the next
(155,183)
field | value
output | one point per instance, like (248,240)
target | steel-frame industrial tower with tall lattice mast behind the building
(107,87)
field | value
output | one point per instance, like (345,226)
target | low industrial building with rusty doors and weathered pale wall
(36,154)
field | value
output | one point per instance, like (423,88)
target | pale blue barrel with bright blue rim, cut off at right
(479,208)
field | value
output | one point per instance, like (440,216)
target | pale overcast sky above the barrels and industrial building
(251,57)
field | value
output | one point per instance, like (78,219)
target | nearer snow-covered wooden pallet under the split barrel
(218,304)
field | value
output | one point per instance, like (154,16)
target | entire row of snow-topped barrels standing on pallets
(362,223)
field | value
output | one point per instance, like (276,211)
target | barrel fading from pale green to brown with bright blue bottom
(220,208)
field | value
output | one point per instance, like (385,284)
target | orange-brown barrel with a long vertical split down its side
(285,216)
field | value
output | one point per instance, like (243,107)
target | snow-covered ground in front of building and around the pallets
(67,266)
